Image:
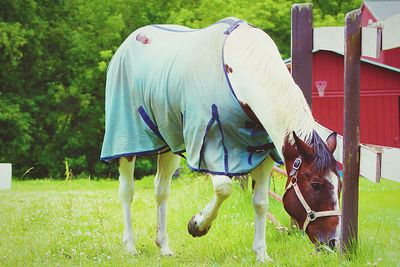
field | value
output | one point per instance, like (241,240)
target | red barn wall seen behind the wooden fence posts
(379,103)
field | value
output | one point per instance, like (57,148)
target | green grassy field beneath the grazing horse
(79,222)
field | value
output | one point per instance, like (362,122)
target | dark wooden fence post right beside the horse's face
(351,142)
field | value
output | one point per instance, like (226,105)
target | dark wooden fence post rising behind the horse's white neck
(302,45)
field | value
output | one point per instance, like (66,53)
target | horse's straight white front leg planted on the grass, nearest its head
(261,176)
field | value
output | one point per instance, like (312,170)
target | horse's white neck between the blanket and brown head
(261,80)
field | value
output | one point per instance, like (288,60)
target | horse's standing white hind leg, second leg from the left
(166,166)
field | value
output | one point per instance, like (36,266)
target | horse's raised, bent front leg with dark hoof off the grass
(201,222)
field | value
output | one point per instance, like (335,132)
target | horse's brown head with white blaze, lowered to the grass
(313,188)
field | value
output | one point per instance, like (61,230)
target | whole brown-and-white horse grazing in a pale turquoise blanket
(223,96)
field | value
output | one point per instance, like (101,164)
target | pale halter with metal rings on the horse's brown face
(311,215)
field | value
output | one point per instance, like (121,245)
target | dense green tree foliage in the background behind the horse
(53,59)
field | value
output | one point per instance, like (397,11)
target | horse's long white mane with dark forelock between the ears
(294,112)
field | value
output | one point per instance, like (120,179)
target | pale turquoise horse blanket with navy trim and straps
(168,88)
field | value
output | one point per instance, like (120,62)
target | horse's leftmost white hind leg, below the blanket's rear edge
(126,168)
